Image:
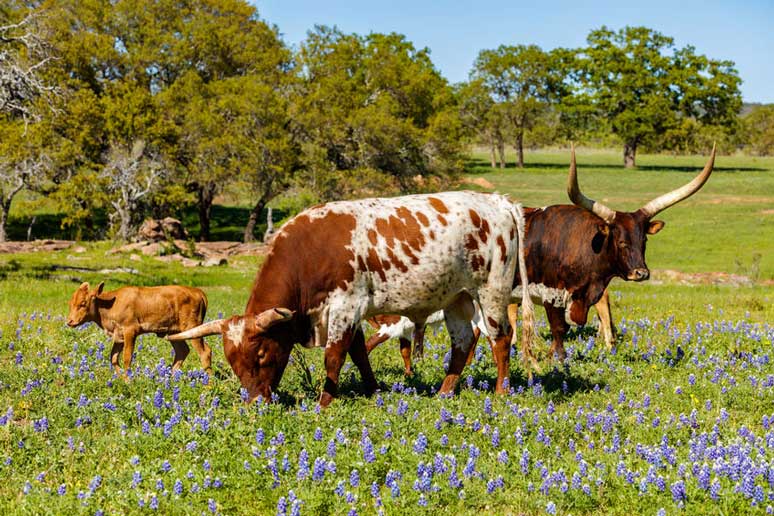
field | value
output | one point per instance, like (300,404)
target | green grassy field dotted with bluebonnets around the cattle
(678,420)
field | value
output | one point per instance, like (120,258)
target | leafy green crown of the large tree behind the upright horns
(645,88)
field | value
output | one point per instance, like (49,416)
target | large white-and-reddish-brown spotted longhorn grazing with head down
(336,264)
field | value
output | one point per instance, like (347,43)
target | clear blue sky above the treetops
(456,30)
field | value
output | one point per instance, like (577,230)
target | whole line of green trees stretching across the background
(142,107)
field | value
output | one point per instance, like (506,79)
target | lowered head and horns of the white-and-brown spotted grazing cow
(253,346)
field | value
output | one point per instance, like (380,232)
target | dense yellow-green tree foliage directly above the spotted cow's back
(371,114)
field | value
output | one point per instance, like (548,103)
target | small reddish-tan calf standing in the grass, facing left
(131,311)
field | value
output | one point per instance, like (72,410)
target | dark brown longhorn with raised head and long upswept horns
(574,251)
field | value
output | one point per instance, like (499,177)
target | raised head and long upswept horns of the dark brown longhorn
(624,234)
